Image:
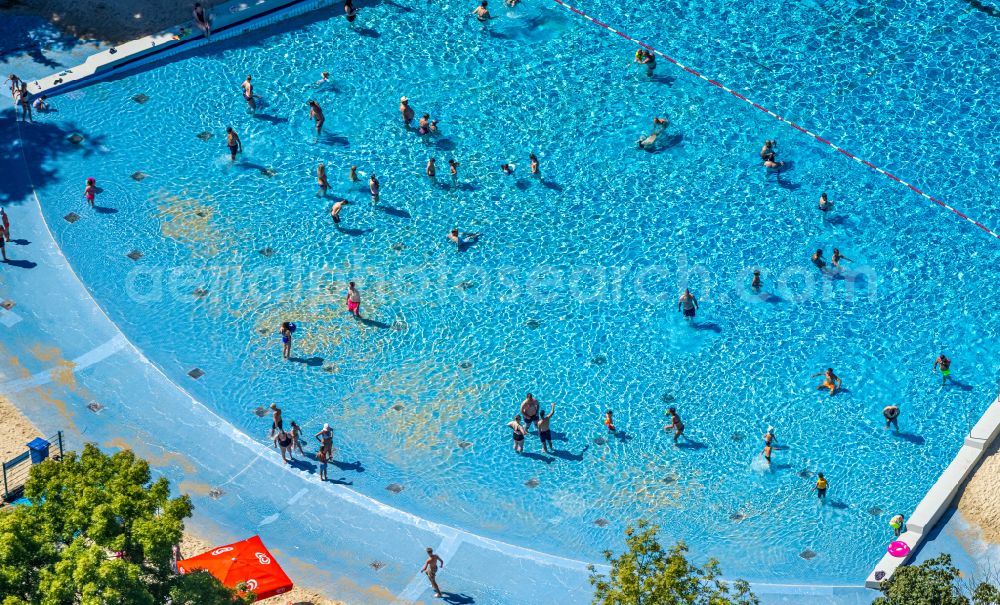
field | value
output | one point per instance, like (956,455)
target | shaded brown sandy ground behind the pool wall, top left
(112,21)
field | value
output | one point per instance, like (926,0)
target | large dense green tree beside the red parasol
(99,531)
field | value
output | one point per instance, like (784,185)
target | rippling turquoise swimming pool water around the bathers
(571,292)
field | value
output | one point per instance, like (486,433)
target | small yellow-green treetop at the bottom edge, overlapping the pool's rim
(646,574)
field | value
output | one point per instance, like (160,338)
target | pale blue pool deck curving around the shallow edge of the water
(62,354)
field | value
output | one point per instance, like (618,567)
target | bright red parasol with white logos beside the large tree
(247,561)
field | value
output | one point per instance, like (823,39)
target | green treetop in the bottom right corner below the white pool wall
(934,582)
